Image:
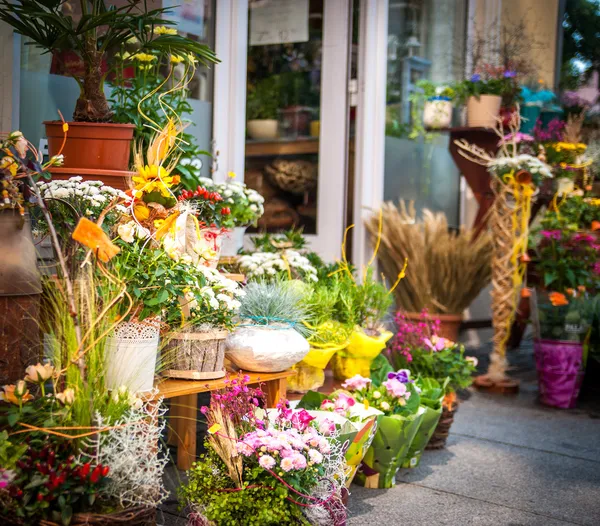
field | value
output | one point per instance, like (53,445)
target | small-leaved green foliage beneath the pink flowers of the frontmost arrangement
(252,506)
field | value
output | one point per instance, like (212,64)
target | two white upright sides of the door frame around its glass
(229,113)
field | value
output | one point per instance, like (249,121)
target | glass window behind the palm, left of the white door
(46,85)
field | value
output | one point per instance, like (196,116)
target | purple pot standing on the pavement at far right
(560,366)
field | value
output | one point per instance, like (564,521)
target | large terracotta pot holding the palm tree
(92,150)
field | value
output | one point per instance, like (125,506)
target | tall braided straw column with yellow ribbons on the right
(504,266)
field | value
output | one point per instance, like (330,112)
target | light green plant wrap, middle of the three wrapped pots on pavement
(388,450)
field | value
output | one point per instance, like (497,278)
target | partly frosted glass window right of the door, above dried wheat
(426,40)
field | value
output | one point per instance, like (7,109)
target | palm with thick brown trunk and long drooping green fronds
(100,28)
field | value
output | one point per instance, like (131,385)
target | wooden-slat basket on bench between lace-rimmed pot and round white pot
(197,355)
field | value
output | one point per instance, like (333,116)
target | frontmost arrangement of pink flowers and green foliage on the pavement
(270,468)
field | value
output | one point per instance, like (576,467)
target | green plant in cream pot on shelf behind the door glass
(262,104)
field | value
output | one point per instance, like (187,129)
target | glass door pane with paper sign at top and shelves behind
(283,105)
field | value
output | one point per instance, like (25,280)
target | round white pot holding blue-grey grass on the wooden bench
(266,349)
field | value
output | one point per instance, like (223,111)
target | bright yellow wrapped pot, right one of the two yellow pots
(357,357)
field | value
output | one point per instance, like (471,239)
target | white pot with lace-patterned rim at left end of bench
(130,355)
